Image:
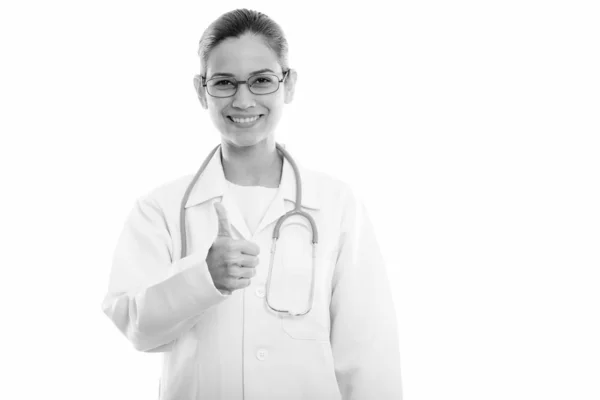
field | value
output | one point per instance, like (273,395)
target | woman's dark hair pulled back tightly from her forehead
(238,22)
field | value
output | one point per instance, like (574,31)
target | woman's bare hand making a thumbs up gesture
(231,263)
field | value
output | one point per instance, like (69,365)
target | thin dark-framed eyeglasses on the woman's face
(257,84)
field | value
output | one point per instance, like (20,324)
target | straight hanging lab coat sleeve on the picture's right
(364,333)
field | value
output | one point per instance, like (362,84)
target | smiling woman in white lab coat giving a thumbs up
(215,304)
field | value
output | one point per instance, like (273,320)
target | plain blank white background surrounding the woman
(469,128)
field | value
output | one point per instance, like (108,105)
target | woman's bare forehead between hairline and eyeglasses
(241,56)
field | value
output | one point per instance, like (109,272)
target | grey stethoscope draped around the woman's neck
(296,211)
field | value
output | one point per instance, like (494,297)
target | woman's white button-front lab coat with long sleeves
(217,346)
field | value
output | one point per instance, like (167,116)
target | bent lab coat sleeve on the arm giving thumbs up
(151,299)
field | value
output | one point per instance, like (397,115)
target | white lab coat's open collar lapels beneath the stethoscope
(212,184)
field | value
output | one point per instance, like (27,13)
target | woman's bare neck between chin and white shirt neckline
(257,165)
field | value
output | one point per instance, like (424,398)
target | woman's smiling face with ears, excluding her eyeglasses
(245,119)
